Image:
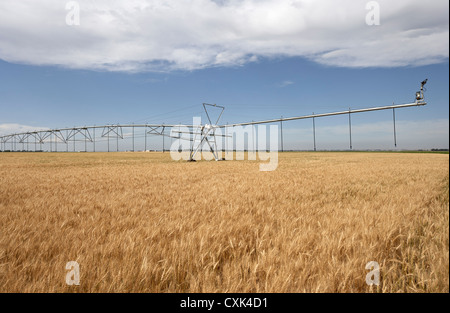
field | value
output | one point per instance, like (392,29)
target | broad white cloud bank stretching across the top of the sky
(138,35)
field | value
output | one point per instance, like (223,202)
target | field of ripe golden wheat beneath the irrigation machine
(139,222)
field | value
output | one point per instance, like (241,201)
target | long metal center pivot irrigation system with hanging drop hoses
(199,135)
